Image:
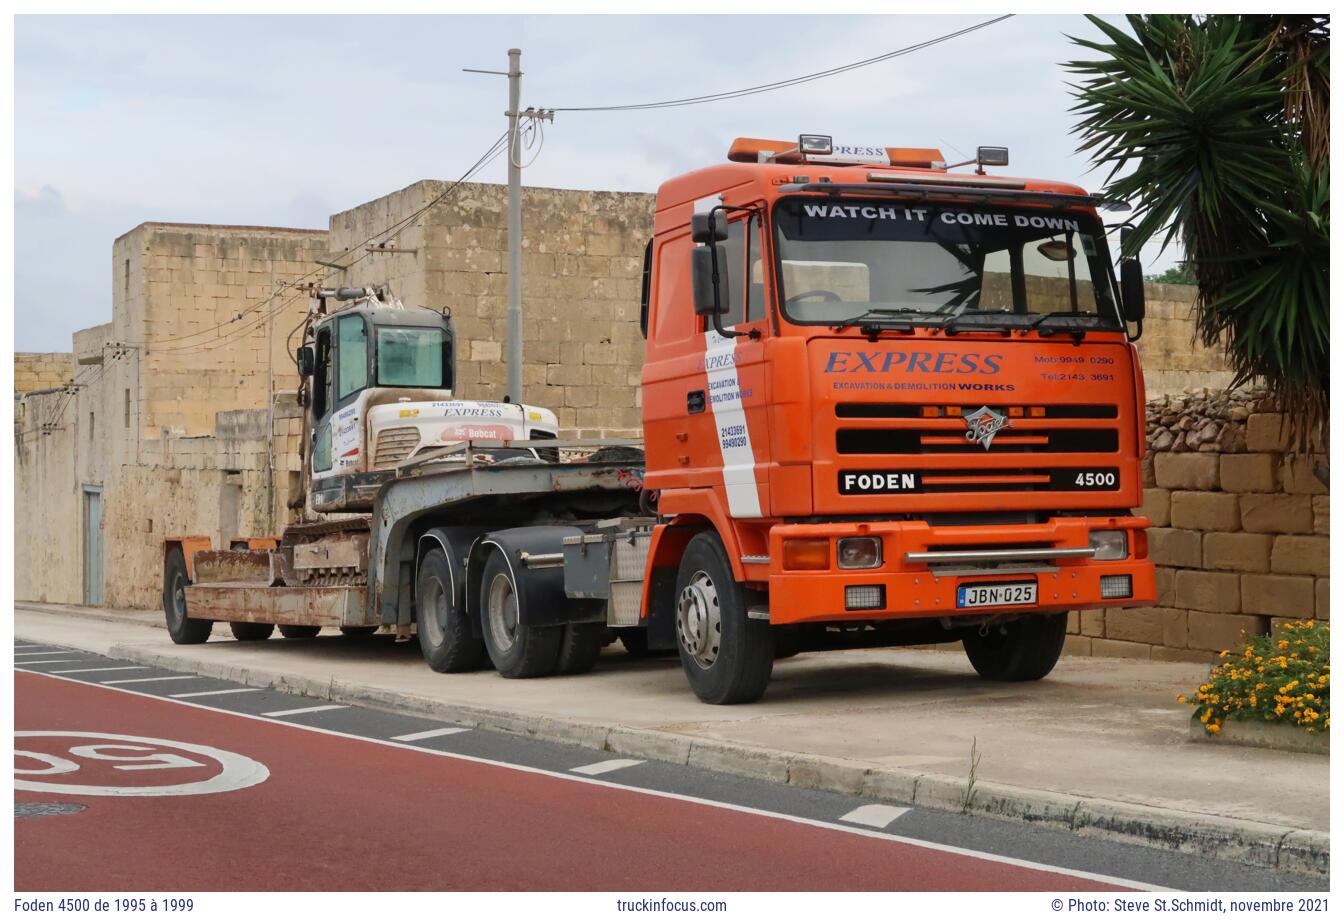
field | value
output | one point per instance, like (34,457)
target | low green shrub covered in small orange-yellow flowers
(1277,679)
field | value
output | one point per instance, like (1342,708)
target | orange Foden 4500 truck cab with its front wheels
(888,397)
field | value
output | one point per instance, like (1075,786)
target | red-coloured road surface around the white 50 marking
(337,813)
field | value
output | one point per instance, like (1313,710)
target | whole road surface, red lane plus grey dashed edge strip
(136,778)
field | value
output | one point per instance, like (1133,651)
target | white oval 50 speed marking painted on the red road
(229,772)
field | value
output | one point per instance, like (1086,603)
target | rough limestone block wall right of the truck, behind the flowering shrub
(1241,534)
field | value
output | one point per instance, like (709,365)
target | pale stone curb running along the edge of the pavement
(1265,845)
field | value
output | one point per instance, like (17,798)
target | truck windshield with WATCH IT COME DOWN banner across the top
(846,260)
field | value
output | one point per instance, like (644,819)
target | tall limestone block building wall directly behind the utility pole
(583,265)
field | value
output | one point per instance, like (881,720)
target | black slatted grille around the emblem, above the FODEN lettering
(940,430)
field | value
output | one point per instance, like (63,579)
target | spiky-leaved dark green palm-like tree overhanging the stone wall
(1217,130)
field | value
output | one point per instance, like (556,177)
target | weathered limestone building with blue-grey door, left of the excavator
(139,444)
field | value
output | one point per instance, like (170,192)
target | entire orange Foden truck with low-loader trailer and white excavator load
(885,404)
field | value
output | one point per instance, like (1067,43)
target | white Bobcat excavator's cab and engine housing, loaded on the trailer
(378,387)
